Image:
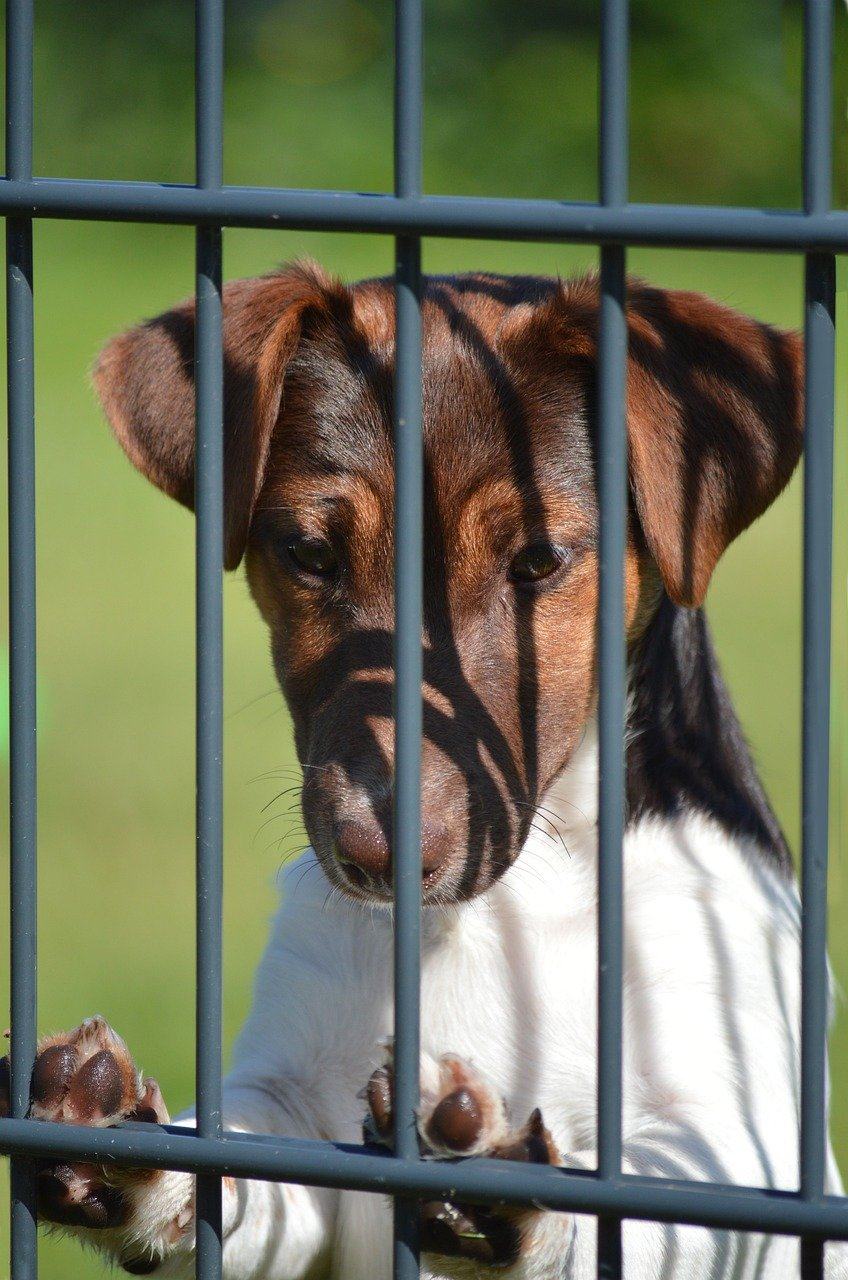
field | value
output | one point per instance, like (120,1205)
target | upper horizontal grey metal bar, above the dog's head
(676,226)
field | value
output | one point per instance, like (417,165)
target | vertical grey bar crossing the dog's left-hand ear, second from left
(209,501)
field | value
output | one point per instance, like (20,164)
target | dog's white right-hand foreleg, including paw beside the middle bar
(463,1116)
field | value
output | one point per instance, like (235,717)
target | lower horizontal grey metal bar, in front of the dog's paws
(323,1164)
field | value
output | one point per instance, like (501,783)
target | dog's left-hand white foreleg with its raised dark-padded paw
(145,1219)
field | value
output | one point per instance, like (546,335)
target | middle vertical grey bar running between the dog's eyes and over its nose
(409,548)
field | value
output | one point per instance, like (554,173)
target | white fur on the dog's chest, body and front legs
(712,1064)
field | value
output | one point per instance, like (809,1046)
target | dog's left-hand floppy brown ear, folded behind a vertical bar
(145,380)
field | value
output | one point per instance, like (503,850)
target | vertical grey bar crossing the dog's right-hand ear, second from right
(613,499)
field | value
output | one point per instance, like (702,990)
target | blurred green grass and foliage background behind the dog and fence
(510,111)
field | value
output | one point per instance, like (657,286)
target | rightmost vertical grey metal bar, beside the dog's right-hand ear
(820,292)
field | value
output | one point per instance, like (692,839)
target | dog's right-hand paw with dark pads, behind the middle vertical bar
(463,1116)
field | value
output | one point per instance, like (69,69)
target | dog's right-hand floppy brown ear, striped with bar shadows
(715,418)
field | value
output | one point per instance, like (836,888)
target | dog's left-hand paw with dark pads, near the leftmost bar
(88,1077)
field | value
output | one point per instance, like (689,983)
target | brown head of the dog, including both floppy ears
(512,523)
